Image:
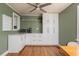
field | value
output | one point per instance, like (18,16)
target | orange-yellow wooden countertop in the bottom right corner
(71,50)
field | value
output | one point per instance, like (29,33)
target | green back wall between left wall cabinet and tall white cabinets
(31,22)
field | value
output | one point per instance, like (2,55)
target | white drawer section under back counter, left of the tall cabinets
(33,39)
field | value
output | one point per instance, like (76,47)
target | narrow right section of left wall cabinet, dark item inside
(16,22)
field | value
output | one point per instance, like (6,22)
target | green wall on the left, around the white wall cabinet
(4,9)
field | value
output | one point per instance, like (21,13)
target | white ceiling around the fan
(24,8)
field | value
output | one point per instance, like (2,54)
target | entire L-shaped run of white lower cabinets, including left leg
(18,41)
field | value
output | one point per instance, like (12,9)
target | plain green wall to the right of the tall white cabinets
(68,24)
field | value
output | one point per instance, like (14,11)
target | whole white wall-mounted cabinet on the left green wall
(10,23)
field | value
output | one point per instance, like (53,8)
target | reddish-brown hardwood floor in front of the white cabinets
(38,51)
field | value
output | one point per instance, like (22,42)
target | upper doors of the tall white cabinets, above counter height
(50,23)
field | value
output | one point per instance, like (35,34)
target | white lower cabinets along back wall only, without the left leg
(40,39)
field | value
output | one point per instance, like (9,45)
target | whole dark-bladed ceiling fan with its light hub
(39,6)
